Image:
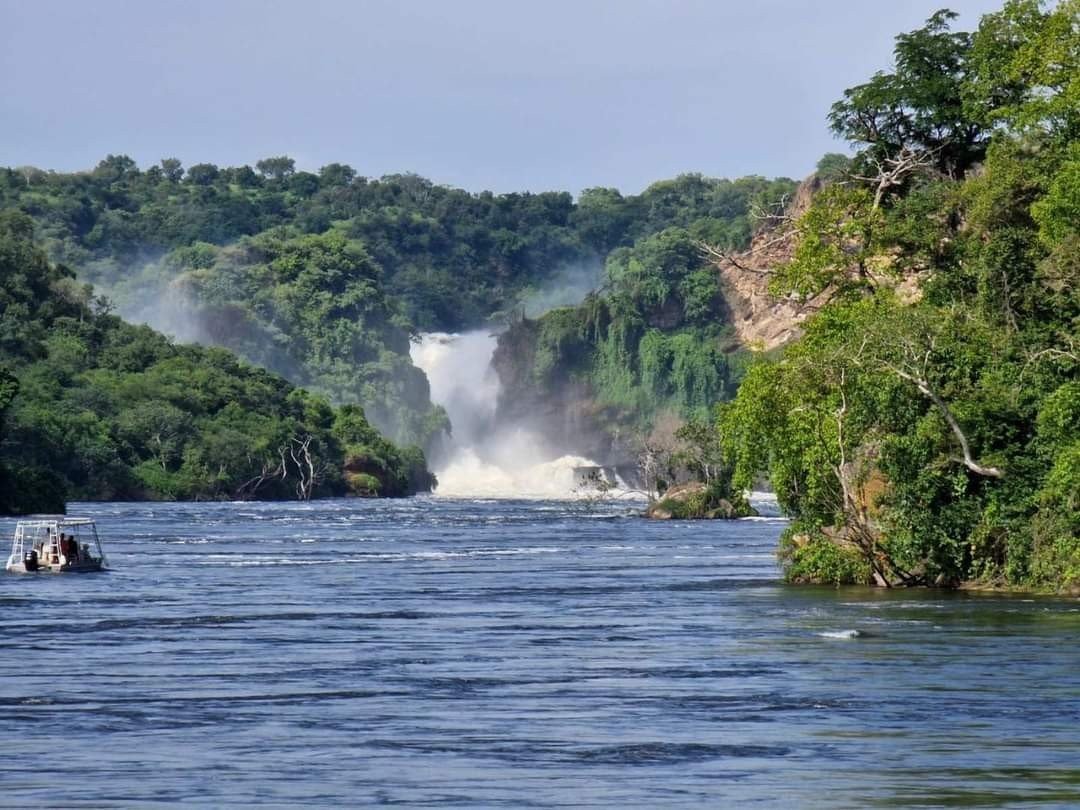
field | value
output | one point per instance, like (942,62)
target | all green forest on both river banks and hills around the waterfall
(915,402)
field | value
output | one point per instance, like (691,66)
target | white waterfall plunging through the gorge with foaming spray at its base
(483,460)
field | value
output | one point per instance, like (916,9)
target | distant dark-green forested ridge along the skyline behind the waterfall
(451,256)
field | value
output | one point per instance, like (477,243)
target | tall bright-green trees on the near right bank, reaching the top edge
(927,427)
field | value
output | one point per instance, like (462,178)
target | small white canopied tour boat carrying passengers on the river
(57,546)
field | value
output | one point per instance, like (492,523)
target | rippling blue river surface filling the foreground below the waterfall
(467,654)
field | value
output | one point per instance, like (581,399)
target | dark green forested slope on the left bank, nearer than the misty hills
(92,408)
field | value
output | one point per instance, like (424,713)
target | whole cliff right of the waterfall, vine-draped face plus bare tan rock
(553,371)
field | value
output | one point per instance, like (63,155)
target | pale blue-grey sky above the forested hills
(475,93)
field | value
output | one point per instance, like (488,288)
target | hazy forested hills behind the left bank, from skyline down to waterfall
(325,278)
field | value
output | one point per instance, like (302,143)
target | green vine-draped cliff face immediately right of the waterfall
(655,340)
